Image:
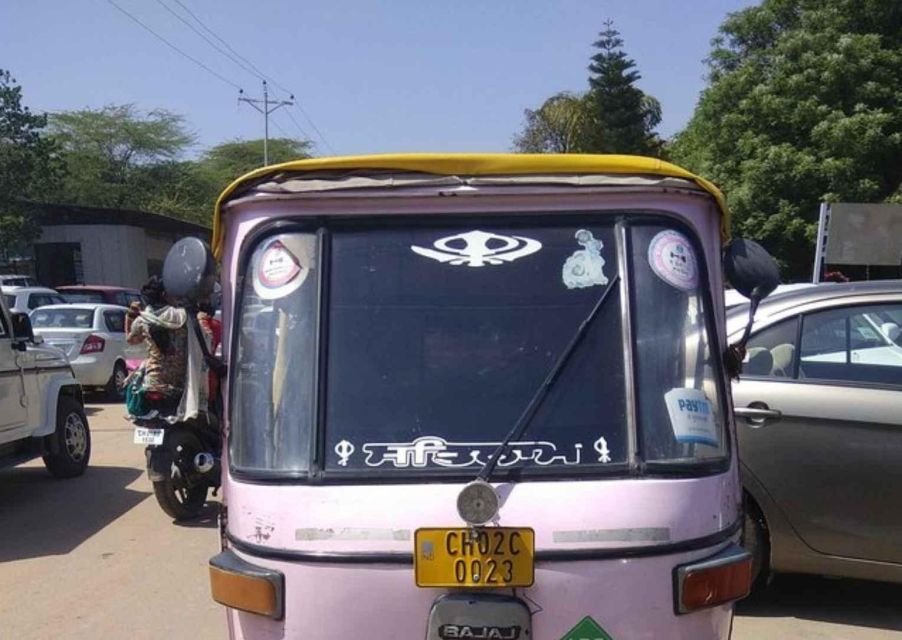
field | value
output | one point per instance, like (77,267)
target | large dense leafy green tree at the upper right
(803,105)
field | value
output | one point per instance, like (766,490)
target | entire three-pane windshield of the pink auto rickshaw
(429,341)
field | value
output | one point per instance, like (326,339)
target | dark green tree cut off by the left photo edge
(28,165)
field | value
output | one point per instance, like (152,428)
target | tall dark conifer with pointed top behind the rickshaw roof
(624,118)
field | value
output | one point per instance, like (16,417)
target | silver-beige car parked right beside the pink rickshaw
(819,416)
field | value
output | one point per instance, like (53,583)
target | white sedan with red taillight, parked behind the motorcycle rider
(93,338)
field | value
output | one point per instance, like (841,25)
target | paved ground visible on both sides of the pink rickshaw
(94,557)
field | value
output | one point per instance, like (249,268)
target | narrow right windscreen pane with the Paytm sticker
(678,408)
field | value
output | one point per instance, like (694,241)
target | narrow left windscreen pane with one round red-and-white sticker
(272,402)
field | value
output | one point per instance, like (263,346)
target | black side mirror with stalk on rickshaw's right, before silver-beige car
(754,273)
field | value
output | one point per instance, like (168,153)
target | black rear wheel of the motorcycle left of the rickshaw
(176,497)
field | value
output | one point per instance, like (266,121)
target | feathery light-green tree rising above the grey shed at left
(108,150)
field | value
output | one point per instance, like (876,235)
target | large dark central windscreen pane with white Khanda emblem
(439,337)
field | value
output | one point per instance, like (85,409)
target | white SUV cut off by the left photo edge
(41,407)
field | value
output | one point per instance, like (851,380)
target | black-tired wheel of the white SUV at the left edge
(69,447)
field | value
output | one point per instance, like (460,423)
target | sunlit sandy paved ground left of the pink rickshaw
(95,558)
